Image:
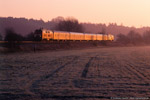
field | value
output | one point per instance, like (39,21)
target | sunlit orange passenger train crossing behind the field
(48,35)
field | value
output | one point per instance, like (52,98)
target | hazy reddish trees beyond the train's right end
(134,38)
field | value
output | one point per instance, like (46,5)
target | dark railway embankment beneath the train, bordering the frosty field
(29,46)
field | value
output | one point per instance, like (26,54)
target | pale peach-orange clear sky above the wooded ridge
(123,12)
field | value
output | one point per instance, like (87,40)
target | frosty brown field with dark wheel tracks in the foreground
(76,74)
